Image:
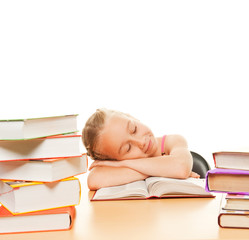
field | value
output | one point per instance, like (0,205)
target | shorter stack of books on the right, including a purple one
(231,177)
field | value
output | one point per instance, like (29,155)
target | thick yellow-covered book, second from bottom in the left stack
(24,197)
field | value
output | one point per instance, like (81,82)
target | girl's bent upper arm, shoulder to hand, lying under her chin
(177,164)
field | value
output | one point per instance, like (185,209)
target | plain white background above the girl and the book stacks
(178,66)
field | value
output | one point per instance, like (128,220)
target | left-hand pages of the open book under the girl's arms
(131,190)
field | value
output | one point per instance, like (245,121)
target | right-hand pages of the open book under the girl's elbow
(159,186)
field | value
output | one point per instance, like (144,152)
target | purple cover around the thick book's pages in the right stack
(223,171)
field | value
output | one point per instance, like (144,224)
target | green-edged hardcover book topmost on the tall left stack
(16,129)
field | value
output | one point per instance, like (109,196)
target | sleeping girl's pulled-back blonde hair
(92,130)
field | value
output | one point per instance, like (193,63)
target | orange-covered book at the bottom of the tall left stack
(48,220)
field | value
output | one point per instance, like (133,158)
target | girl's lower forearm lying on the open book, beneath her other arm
(105,176)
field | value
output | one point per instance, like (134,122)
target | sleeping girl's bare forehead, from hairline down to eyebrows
(113,135)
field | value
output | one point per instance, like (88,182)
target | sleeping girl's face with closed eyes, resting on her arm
(124,137)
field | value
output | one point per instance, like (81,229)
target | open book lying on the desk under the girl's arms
(158,187)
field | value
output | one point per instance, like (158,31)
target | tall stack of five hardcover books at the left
(39,159)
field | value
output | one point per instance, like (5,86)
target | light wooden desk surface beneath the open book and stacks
(141,219)
